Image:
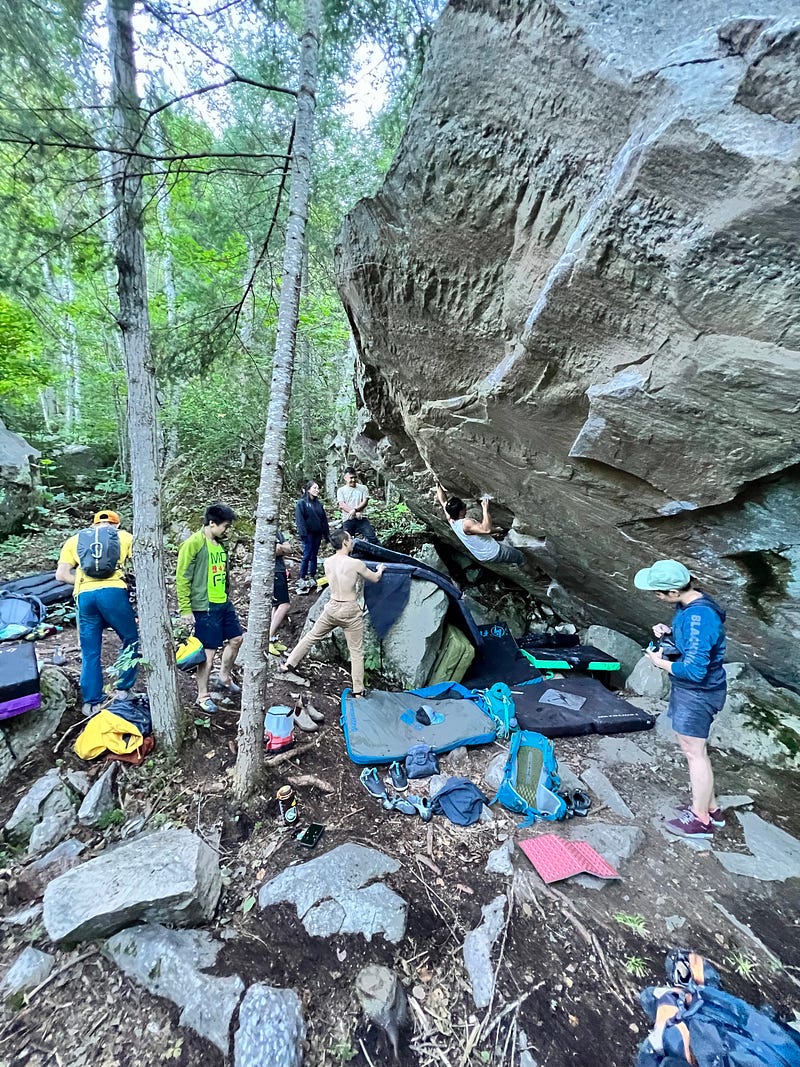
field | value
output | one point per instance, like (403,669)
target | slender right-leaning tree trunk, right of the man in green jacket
(250,760)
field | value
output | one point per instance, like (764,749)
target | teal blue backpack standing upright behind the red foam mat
(531,782)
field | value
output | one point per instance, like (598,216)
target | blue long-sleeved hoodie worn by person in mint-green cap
(698,631)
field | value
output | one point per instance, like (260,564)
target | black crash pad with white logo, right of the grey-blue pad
(575,706)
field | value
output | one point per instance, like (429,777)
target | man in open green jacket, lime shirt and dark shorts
(202,583)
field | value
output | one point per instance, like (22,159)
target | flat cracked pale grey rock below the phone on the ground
(339,894)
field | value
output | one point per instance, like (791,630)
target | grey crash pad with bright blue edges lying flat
(382,727)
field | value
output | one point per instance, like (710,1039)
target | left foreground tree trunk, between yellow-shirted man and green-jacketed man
(143,432)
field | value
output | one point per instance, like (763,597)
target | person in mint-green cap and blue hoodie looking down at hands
(698,683)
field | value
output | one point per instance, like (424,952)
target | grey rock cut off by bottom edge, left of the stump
(271,1029)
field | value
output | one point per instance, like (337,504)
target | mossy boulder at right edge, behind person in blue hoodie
(759,721)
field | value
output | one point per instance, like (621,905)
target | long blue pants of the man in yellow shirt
(99,609)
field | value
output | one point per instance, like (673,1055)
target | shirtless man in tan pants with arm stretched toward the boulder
(345,578)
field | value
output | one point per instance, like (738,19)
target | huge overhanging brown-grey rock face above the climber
(578,289)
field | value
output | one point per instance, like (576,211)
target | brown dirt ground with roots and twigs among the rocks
(570,962)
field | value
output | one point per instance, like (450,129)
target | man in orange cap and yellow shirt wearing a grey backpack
(94,563)
